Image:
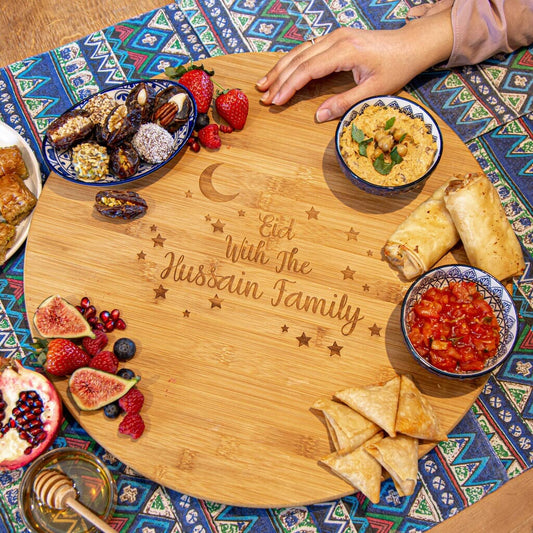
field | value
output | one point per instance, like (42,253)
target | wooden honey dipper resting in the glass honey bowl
(55,489)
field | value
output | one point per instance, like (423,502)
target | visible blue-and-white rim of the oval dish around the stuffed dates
(60,160)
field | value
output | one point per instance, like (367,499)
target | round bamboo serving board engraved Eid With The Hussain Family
(216,283)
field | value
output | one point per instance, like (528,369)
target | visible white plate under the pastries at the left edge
(9,137)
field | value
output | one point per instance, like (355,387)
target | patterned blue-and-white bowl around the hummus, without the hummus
(407,107)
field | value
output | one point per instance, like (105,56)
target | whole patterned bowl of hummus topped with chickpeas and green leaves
(388,145)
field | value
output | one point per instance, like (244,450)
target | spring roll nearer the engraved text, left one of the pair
(423,237)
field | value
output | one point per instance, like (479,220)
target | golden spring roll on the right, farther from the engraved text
(488,238)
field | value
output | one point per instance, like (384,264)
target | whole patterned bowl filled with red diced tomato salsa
(459,321)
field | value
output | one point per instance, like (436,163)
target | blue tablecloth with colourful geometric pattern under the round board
(490,108)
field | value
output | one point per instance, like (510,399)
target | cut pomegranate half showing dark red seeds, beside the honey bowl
(30,414)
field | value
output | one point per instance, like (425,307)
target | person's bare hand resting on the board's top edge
(381,61)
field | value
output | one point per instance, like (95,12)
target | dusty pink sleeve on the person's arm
(483,28)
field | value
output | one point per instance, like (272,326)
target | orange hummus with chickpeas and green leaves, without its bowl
(387,147)
